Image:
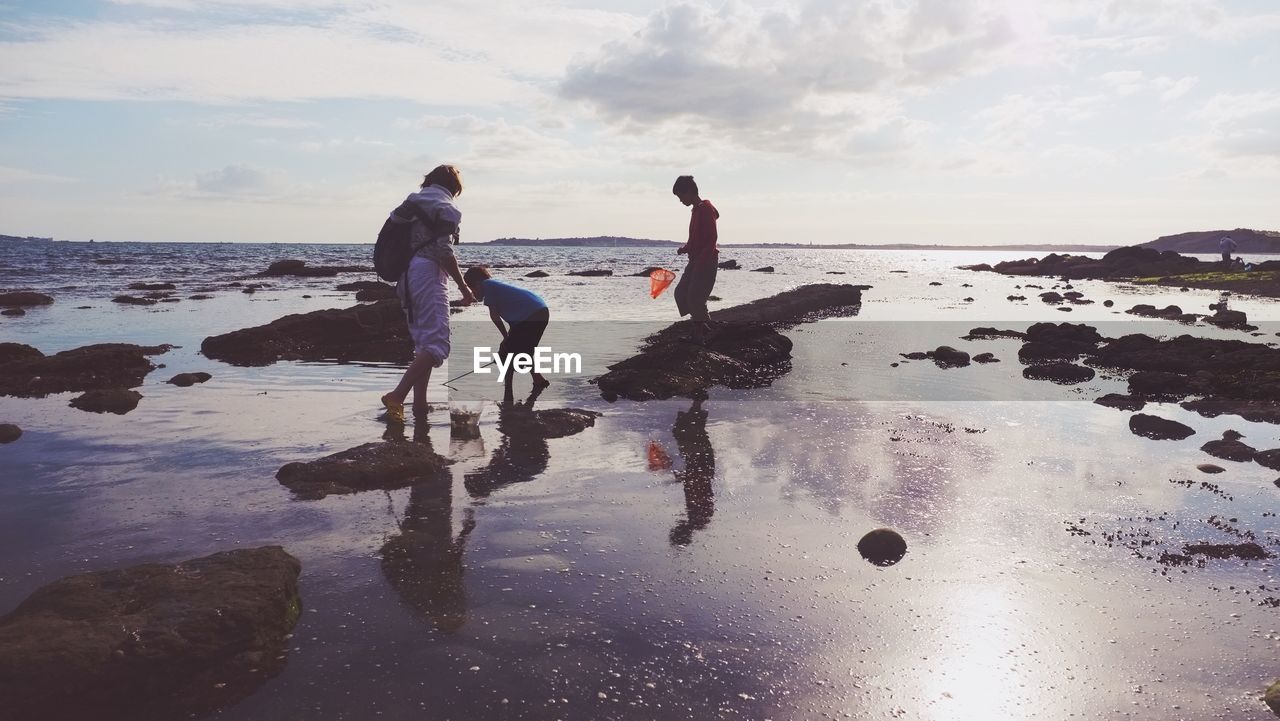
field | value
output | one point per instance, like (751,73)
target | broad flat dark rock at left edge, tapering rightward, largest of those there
(25,372)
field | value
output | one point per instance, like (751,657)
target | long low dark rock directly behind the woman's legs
(374,332)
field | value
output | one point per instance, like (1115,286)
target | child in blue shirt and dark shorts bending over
(525,312)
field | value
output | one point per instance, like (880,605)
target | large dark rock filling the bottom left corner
(150,642)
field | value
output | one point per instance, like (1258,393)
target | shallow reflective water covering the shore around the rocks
(588,578)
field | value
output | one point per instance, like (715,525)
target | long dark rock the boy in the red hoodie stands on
(744,349)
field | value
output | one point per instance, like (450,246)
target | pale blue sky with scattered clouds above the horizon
(954,122)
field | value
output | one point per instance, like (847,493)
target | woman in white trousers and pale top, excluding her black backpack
(424,288)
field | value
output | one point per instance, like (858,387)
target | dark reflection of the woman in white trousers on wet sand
(424,562)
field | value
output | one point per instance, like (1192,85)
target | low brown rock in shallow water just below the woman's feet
(373,467)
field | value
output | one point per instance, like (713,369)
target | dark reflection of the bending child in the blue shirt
(522,455)
